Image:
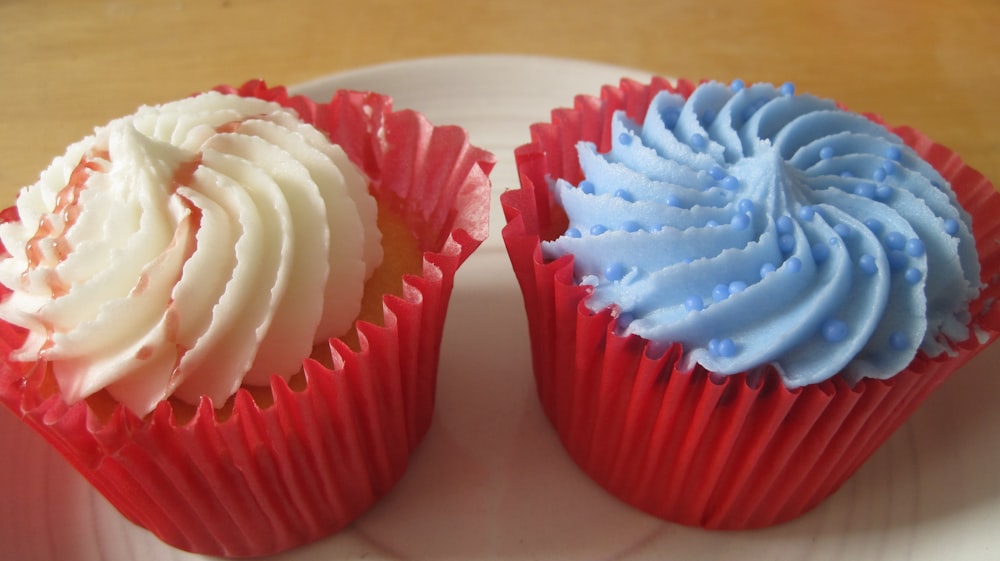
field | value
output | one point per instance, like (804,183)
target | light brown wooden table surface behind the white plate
(68,65)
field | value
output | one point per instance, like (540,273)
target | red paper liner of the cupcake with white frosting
(264,480)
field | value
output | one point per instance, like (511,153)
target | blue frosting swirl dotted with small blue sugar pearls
(756,226)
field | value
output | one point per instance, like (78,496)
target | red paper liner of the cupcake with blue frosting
(693,447)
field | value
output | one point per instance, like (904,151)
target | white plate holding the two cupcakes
(491,480)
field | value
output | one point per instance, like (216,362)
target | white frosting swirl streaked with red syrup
(184,250)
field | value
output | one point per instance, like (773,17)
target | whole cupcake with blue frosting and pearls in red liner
(736,293)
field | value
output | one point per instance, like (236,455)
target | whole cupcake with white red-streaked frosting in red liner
(226,311)
